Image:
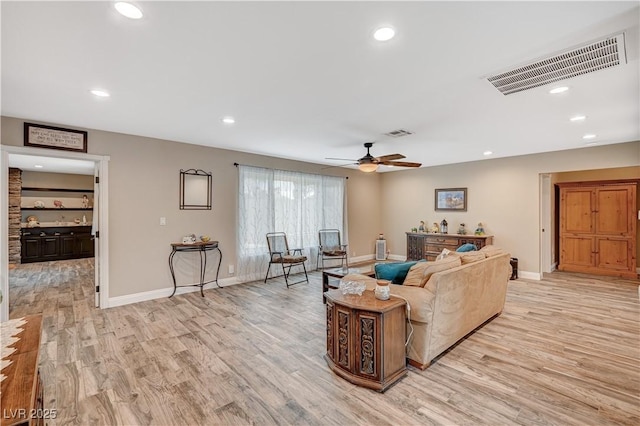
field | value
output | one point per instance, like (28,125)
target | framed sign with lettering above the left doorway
(51,137)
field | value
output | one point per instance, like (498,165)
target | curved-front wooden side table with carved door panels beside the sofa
(365,339)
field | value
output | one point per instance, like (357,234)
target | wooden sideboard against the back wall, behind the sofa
(421,245)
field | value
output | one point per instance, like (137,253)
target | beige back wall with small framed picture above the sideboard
(503,194)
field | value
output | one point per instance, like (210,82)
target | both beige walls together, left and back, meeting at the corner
(503,194)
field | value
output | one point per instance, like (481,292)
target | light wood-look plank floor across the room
(565,351)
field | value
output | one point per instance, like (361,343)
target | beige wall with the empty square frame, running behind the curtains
(144,186)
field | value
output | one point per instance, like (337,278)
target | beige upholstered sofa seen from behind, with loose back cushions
(449,298)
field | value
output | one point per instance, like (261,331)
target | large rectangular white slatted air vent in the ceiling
(605,53)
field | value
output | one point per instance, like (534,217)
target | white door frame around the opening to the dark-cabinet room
(102,260)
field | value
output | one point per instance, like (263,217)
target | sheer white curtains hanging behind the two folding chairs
(298,204)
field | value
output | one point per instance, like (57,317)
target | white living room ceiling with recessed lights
(305,80)
